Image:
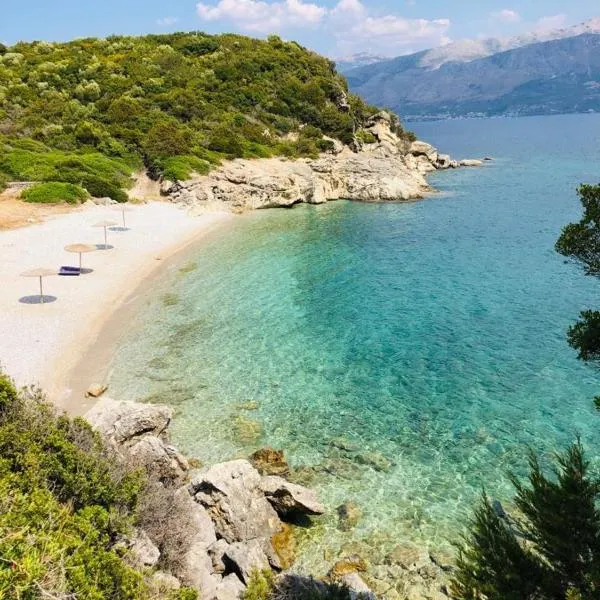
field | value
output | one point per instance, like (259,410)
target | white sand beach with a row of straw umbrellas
(40,344)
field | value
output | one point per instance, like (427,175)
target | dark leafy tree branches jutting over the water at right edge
(581,242)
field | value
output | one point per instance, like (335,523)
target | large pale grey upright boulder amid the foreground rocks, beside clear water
(231,493)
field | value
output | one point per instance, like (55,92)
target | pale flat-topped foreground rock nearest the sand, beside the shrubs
(122,421)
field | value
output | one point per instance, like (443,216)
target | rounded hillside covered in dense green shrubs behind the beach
(91,111)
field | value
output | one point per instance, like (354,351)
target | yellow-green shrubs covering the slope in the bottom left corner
(64,501)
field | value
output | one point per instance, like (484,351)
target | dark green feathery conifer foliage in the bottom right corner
(552,552)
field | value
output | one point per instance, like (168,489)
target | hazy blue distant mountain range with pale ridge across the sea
(547,73)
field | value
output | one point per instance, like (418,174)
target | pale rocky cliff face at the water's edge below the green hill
(390,168)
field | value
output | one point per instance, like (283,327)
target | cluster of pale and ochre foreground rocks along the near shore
(211,528)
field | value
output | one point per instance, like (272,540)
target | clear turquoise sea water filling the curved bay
(404,355)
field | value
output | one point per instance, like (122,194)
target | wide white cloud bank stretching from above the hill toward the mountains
(350,22)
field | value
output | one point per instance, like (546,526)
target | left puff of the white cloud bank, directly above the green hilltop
(261,16)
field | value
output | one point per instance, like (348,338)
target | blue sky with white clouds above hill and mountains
(336,28)
